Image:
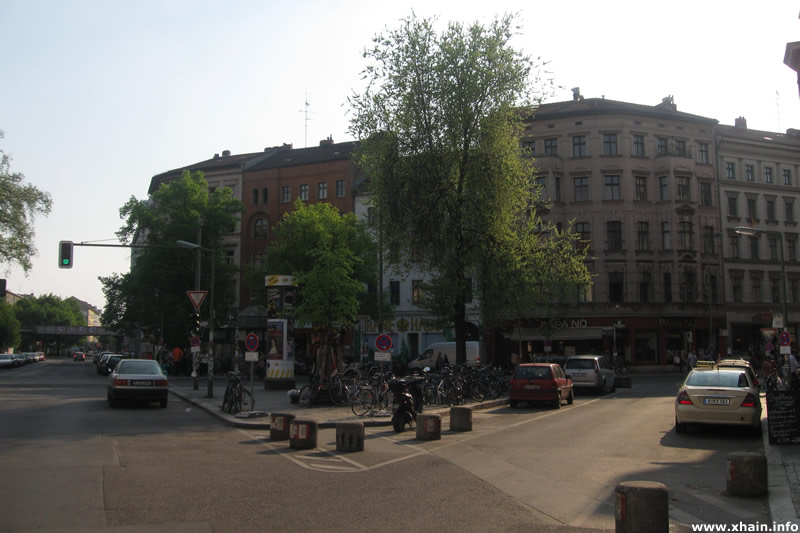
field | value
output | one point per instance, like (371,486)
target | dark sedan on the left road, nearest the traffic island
(137,380)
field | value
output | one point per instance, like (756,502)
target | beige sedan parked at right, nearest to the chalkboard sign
(718,396)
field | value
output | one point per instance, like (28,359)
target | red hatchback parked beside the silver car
(541,382)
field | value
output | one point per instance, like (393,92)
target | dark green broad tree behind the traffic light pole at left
(153,293)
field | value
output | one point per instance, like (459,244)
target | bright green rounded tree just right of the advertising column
(332,258)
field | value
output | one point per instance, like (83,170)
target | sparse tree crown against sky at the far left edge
(19,205)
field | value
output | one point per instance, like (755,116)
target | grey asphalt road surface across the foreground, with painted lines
(69,462)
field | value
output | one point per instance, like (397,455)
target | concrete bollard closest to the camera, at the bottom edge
(642,507)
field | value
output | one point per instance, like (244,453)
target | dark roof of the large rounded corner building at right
(601,106)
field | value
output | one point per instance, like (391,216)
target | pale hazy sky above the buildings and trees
(98,96)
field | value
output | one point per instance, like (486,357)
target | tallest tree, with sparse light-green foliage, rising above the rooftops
(440,120)
